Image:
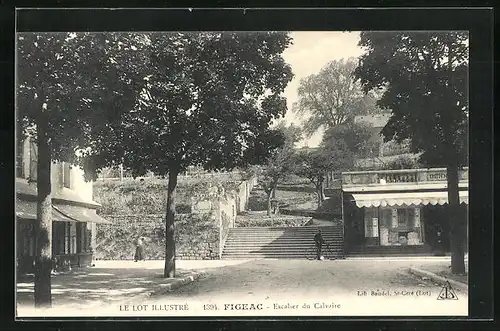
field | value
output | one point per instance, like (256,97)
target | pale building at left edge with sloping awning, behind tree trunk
(74,212)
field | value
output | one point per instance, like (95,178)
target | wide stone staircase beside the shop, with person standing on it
(282,242)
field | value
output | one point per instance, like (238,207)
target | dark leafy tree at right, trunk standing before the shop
(424,75)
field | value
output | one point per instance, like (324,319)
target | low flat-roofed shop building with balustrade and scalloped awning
(398,211)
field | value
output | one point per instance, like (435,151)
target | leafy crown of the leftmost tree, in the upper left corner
(81,80)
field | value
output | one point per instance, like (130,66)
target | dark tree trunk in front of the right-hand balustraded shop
(456,222)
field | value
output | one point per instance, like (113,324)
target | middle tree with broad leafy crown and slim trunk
(208,101)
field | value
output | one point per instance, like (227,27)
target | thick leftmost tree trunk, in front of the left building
(43,259)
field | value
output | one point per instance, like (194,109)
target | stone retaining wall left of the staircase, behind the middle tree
(198,236)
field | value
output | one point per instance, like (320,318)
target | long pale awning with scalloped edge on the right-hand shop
(407,199)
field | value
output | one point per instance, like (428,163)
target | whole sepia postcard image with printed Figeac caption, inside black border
(242,173)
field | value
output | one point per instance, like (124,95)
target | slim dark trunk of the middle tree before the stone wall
(169,271)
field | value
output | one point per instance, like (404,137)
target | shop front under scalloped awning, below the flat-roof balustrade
(408,220)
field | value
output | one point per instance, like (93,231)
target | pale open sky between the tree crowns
(311,50)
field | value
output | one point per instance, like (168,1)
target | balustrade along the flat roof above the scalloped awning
(400,176)
